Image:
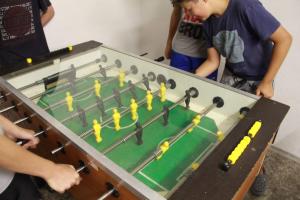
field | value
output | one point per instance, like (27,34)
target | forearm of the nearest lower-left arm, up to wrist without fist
(17,159)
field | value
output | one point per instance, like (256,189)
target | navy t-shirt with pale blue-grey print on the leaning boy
(242,35)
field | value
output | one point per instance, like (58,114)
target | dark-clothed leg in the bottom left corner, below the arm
(21,188)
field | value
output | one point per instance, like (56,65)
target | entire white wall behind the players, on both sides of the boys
(140,26)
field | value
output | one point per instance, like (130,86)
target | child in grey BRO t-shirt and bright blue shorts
(185,45)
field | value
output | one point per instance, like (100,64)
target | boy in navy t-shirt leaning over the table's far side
(248,36)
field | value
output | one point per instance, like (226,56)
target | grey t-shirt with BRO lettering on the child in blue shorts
(189,38)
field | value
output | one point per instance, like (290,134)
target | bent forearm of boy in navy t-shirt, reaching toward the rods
(211,63)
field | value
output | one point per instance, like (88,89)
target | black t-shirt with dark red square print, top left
(21,32)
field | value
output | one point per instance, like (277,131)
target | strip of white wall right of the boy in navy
(287,83)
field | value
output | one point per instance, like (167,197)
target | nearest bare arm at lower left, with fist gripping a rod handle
(17,159)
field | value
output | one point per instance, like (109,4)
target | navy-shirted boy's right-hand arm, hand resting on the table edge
(282,41)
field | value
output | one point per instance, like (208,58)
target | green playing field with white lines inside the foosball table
(161,175)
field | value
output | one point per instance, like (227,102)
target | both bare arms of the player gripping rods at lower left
(15,158)
